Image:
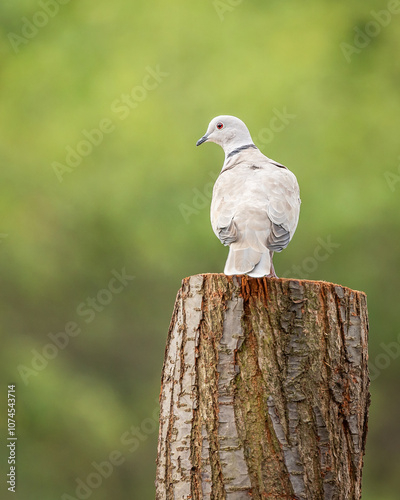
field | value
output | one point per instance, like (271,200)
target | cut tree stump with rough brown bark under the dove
(264,391)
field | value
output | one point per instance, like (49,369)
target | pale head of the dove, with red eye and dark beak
(227,131)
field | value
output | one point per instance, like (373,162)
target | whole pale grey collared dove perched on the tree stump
(256,201)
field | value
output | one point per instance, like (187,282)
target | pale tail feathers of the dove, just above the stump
(249,261)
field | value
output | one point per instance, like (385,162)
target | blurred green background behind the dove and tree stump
(316,82)
